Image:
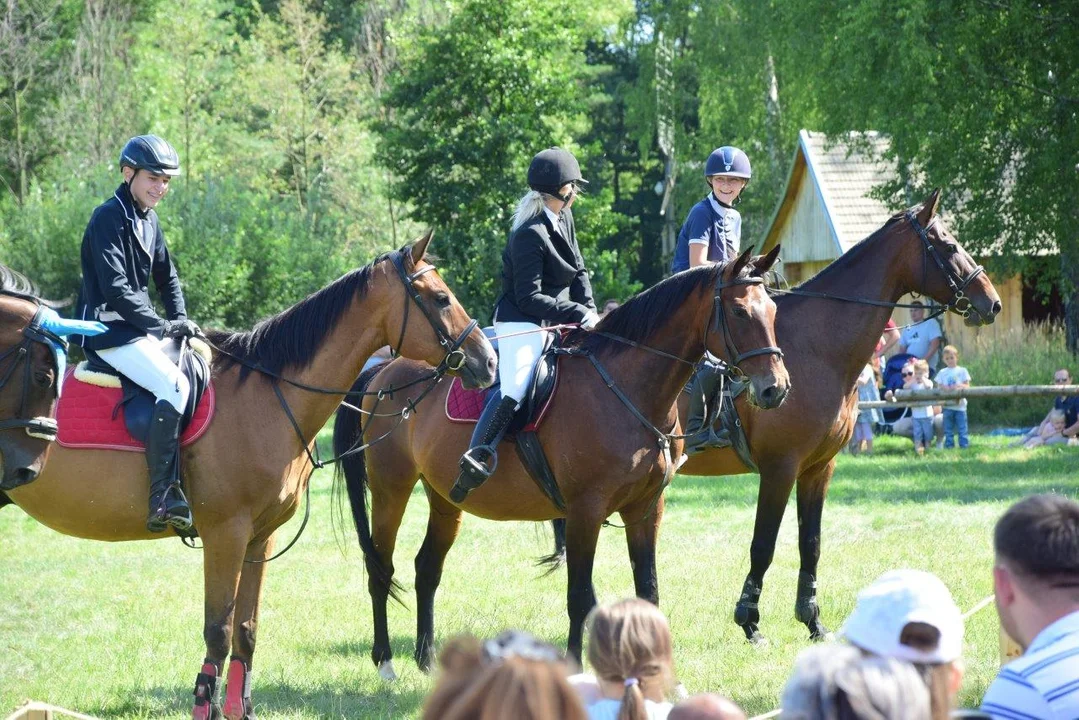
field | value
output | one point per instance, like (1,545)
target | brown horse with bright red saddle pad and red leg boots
(245,477)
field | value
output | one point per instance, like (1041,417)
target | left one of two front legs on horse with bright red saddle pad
(224,550)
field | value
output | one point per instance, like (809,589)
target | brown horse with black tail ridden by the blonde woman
(605,458)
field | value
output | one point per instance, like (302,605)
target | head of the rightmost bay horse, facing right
(949,275)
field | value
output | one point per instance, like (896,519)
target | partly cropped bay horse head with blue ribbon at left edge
(30,381)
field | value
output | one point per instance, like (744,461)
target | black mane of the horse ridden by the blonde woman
(640,317)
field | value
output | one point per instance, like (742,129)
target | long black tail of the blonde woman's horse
(348,432)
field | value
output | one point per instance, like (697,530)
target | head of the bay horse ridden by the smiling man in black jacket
(442,333)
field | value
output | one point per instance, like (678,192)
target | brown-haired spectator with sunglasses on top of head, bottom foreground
(513,676)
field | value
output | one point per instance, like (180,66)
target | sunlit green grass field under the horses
(116,631)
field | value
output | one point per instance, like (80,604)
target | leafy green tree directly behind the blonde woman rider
(474,100)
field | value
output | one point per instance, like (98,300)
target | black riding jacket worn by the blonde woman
(544,280)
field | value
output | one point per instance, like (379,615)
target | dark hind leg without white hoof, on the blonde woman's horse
(443,526)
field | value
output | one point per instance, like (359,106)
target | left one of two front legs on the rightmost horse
(775,488)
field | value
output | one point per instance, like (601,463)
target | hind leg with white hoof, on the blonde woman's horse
(388,509)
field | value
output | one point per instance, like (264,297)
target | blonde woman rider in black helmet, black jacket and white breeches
(544,282)
